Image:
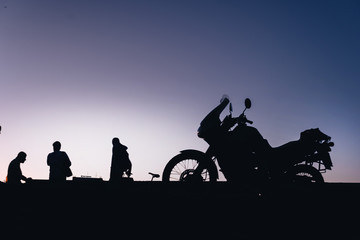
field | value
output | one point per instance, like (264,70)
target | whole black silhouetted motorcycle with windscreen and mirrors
(243,155)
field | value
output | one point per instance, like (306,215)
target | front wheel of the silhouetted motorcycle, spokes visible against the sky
(182,168)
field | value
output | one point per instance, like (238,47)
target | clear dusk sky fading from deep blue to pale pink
(83,72)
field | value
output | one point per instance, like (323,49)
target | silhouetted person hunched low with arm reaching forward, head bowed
(14,171)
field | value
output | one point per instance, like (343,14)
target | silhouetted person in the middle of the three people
(59,163)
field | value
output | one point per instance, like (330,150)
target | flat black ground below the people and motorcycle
(92,208)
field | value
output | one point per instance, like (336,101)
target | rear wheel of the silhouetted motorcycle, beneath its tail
(304,174)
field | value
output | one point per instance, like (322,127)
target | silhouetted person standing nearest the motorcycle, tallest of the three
(120,161)
